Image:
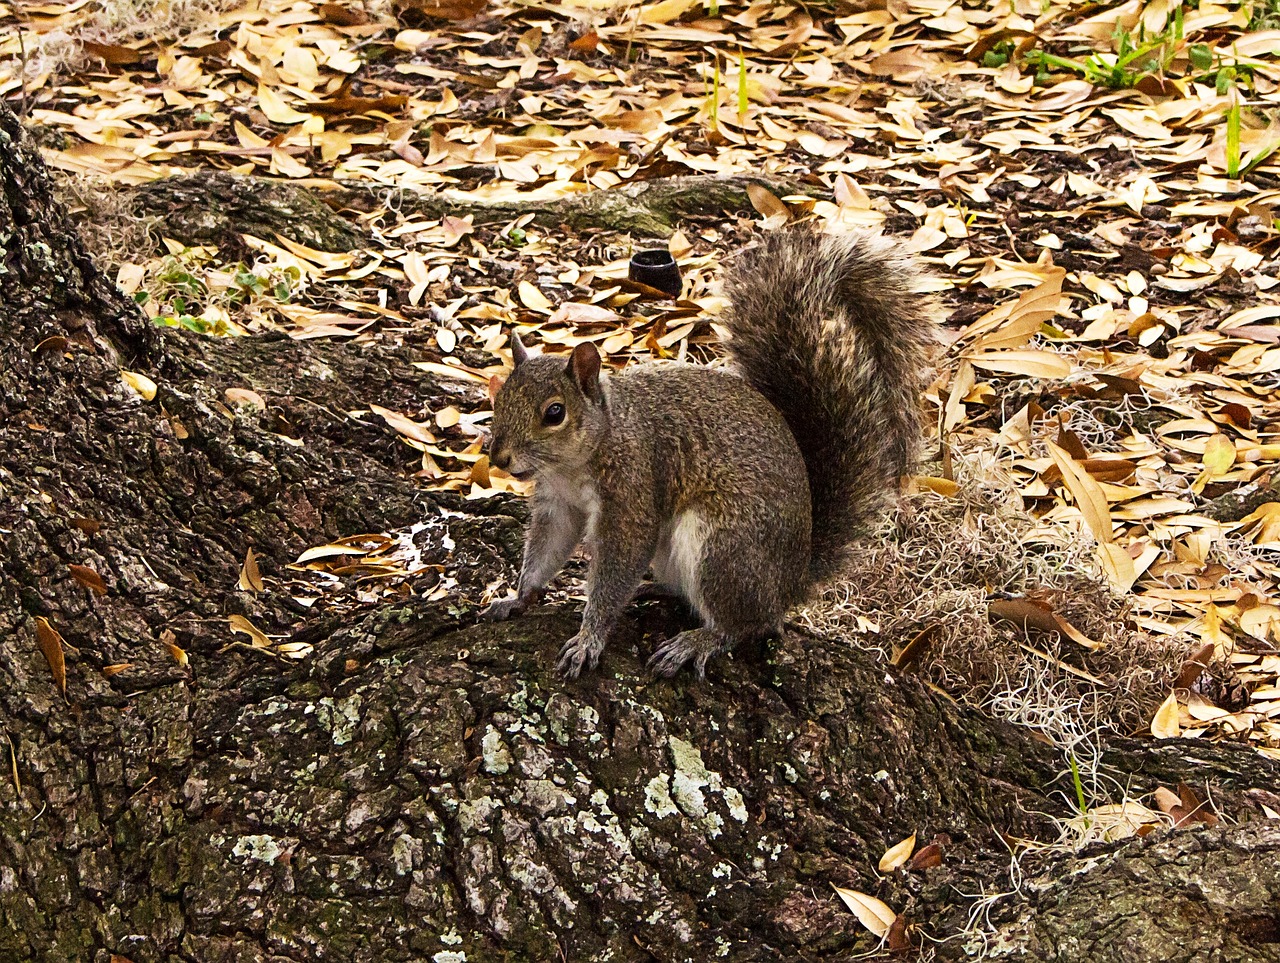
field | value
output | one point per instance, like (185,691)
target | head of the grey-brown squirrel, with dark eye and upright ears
(548,413)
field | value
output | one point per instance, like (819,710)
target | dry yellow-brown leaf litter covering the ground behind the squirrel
(1094,190)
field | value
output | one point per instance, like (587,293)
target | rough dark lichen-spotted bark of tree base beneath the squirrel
(423,788)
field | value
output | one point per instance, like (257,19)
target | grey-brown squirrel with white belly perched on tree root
(740,489)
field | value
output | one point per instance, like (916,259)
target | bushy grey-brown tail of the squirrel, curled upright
(836,334)
